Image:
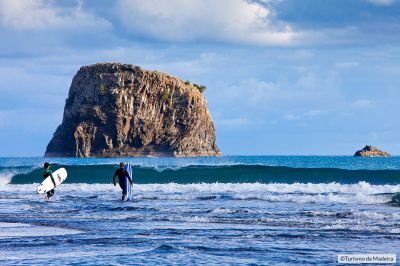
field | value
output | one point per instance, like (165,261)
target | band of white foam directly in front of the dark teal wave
(360,193)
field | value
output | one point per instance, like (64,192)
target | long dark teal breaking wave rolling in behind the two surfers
(94,174)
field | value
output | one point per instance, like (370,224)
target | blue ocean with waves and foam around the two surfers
(232,210)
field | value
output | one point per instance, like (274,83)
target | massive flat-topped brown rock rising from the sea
(123,110)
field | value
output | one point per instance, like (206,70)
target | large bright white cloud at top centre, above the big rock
(237,21)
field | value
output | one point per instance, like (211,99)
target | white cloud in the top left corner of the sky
(41,14)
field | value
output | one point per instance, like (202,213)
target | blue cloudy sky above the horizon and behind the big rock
(283,77)
